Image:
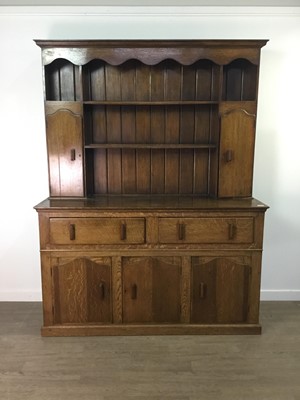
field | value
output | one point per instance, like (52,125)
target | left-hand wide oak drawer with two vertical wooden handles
(97,231)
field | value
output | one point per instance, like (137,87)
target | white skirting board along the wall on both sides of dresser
(266,295)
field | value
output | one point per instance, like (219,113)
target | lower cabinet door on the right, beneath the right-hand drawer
(220,289)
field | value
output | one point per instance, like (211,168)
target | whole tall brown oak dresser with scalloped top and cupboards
(150,227)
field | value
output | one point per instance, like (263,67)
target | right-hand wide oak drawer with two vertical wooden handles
(206,230)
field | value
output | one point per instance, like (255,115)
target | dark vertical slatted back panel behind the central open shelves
(150,171)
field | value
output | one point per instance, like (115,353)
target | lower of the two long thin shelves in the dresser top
(149,146)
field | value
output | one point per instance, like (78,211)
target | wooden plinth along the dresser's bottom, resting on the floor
(135,329)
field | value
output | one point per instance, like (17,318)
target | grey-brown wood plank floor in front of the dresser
(265,367)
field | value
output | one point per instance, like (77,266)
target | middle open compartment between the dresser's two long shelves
(162,126)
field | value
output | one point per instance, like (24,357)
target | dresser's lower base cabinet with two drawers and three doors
(155,271)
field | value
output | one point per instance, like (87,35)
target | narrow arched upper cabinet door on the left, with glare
(64,141)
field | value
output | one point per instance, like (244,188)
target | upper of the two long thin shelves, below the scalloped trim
(150,103)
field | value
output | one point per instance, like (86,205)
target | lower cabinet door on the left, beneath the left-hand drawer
(81,290)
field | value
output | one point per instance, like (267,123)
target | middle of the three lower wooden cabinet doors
(151,289)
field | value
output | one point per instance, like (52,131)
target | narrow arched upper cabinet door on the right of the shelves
(237,139)
